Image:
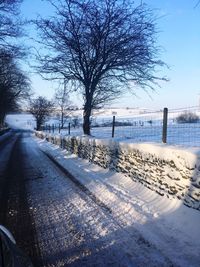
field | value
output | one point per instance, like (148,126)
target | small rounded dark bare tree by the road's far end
(40,108)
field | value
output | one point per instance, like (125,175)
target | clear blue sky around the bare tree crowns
(179,37)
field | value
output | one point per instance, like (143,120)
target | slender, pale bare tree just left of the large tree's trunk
(63,104)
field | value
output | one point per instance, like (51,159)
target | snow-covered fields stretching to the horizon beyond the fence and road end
(142,126)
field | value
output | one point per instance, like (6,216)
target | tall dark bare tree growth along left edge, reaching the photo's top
(14,84)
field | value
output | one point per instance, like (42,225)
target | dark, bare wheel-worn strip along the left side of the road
(15,212)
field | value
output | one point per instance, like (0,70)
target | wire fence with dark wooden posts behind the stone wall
(177,126)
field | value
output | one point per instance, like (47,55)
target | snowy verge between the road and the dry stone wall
(166,223)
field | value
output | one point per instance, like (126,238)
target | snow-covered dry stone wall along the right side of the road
(169,171)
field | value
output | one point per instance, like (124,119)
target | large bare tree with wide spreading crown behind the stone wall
(103,47)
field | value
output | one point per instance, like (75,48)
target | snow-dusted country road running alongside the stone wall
(56,221)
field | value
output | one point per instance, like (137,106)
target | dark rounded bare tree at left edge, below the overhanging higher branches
(14,85)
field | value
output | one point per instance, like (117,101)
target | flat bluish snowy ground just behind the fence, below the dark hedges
(186,135)
